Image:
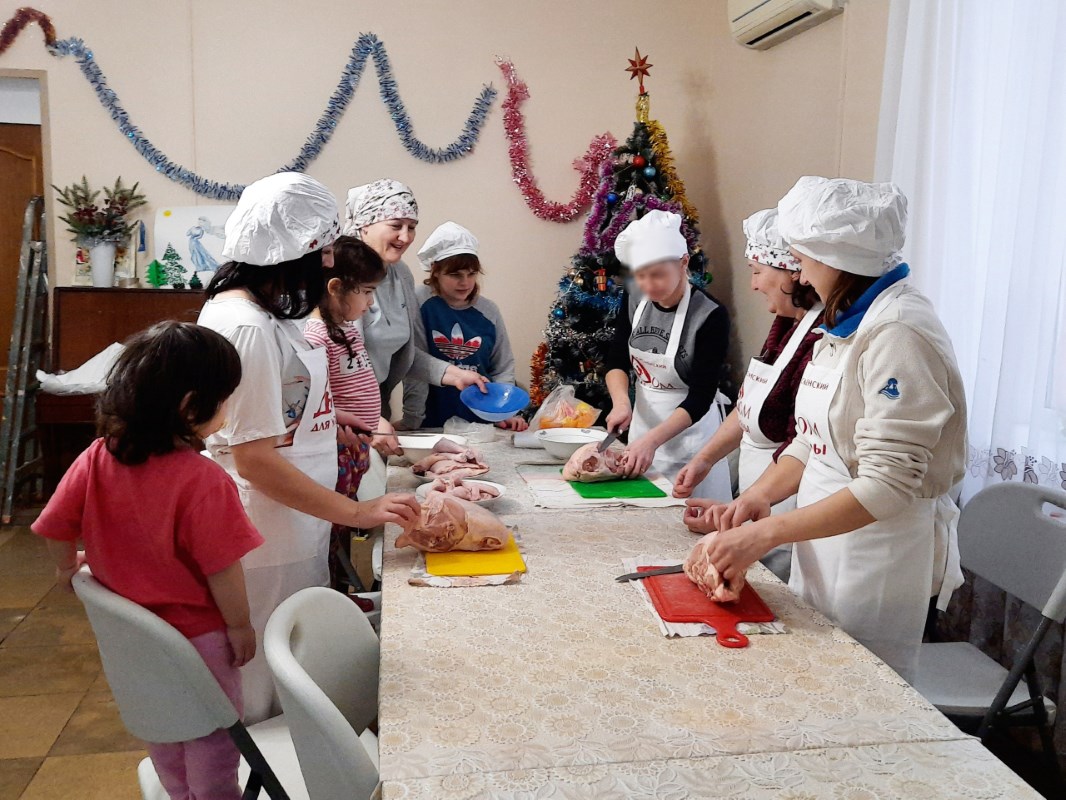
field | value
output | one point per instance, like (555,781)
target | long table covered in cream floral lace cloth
(563,683)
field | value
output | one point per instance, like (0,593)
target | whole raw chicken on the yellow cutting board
(450,524)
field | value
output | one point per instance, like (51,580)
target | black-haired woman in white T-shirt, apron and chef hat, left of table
(280,441)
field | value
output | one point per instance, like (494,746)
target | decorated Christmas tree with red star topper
(639,179)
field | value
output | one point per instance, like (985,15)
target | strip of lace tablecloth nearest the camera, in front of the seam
(909,772)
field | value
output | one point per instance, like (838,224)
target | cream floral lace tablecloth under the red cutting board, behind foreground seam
(567,669)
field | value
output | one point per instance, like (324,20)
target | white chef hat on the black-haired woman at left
(280,219)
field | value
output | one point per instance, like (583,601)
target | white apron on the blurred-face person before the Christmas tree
(660,391)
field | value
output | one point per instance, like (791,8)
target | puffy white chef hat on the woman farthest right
(854,227)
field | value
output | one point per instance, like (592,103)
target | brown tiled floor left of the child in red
(60,731)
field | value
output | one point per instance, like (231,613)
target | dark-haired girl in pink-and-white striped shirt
(351,281)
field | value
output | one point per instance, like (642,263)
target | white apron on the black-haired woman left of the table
(296,553)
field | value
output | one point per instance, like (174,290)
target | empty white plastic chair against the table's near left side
(324,655)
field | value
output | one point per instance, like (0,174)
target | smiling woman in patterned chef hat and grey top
(384,215)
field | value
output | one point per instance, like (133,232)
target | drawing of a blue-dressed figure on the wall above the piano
(193,237)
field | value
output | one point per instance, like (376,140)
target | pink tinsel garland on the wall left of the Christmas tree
(514,129)
